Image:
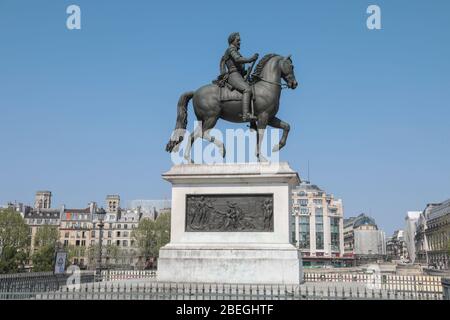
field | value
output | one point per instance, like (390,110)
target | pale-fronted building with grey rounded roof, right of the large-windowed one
(363,241)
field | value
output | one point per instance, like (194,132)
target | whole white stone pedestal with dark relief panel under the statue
(231,223)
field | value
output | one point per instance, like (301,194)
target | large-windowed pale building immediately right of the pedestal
(318,226)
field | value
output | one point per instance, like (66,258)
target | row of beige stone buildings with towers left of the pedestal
(79,231)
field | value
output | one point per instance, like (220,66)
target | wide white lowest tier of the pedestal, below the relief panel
(230,264)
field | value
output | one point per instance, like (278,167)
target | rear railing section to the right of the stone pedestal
(424,284)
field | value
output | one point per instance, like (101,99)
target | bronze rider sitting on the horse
(235,64)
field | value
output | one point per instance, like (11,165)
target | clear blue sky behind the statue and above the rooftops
(86,113)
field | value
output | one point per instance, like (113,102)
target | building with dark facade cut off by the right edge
(438,235)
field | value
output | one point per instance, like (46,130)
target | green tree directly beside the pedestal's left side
(151,235)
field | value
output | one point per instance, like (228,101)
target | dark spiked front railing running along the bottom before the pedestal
(175,291)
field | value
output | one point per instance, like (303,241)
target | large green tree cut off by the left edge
(14,241)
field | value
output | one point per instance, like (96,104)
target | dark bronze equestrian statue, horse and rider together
(237,96)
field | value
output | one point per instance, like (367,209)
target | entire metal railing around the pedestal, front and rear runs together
(138,285)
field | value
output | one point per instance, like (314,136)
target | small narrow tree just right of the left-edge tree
(46,242)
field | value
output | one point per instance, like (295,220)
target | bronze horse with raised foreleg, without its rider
(208,108)
